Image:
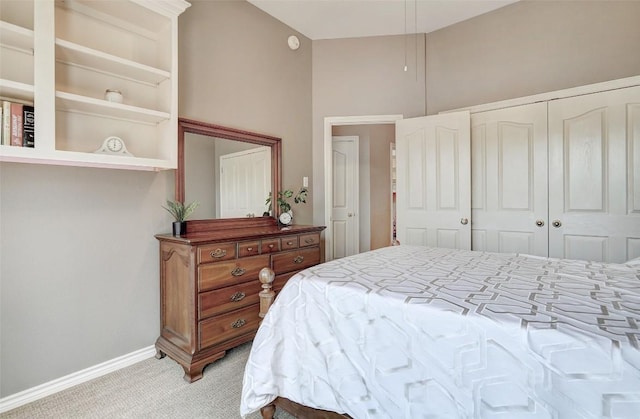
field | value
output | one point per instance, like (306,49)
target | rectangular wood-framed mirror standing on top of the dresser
(225,170)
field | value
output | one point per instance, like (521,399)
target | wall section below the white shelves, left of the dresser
(78,268)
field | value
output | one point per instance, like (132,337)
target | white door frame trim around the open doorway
(329,123)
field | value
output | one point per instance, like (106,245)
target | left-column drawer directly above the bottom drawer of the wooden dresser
(228,299)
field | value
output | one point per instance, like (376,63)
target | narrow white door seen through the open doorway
(345,187)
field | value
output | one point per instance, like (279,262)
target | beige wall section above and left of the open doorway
(362,76)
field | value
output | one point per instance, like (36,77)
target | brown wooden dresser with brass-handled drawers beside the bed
(209,284)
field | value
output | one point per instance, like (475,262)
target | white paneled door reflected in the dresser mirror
(245,182)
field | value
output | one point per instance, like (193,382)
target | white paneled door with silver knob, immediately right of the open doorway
(433,186)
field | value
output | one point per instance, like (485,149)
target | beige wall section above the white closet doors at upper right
(531,47)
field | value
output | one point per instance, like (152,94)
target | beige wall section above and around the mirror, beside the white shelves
(236,70)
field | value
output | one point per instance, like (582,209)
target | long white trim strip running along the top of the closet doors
(558,94)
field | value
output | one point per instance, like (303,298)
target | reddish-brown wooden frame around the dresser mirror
(211,130)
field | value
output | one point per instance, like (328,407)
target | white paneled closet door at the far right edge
(594,176)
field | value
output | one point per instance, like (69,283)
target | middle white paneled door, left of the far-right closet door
(509,180)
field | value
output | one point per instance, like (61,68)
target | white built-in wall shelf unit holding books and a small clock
(62,55)
